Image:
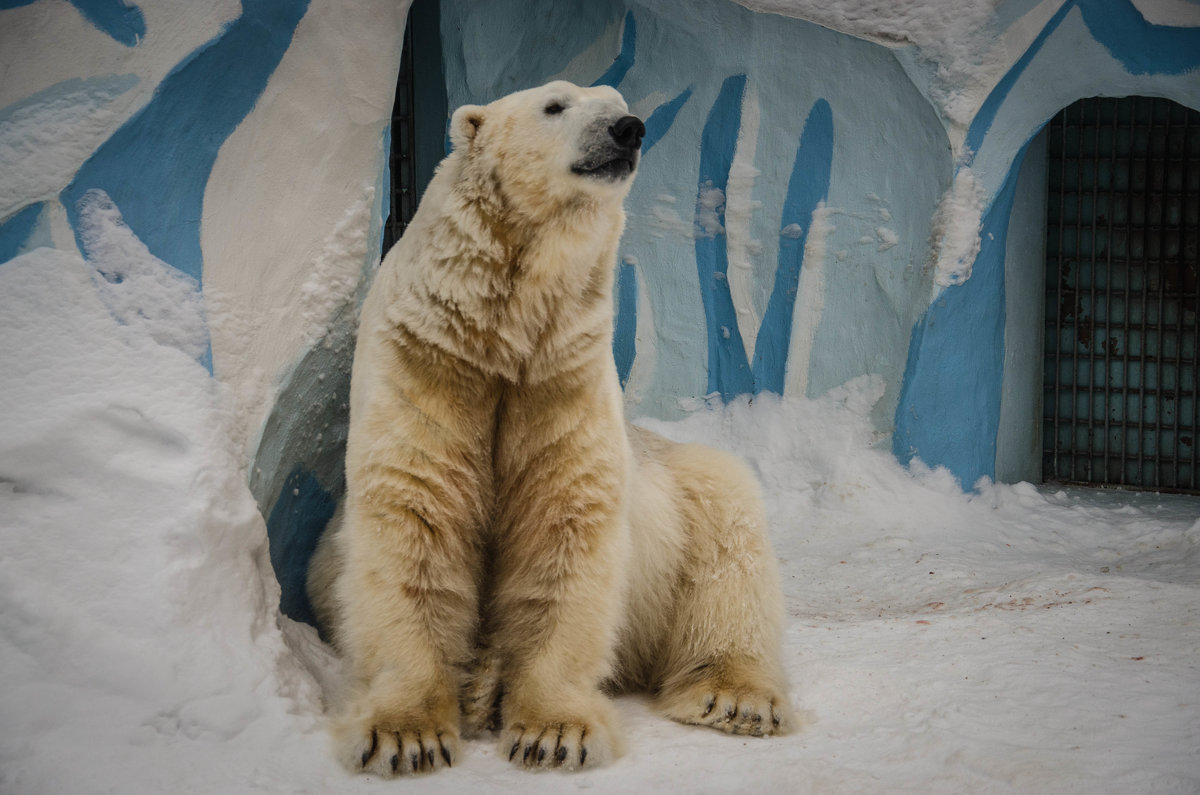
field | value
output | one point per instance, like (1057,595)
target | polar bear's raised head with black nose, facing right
(551,146)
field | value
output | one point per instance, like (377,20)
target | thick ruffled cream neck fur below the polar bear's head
(511,296)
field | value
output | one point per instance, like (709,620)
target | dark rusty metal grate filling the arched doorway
(1123,226)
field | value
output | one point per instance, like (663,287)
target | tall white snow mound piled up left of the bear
(140,643)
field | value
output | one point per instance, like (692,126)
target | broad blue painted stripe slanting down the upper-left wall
(157,166)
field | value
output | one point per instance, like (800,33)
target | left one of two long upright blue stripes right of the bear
(729,372)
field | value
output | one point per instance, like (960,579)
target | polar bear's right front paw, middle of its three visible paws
(567,744)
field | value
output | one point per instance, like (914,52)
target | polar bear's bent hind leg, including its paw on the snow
(723,664)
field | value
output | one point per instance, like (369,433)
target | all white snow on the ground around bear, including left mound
(1017,639)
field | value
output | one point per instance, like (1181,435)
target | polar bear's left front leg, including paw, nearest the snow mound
(416,511)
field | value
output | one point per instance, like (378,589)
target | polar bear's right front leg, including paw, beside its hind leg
(563,545)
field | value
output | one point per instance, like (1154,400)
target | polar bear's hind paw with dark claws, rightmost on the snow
(746,709)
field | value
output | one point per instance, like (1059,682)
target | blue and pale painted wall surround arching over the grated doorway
(955,380)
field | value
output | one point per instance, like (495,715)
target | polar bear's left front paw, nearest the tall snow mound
(398,746)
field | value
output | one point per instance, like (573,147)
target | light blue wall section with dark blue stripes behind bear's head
(811,116)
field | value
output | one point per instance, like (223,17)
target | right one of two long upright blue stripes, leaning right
(807,189)
